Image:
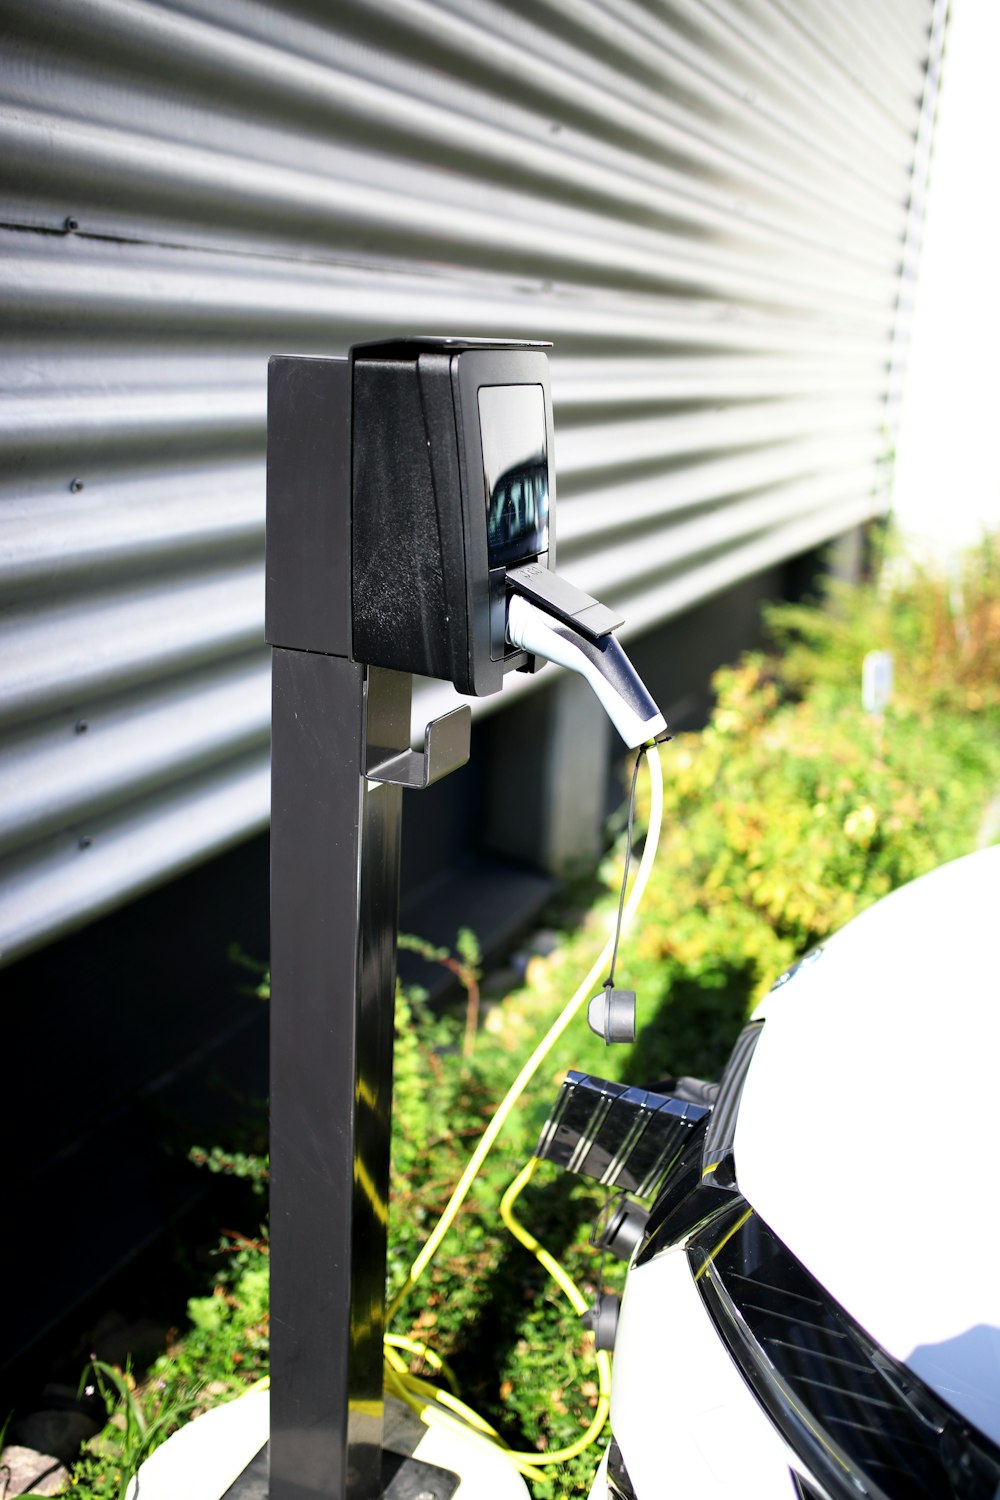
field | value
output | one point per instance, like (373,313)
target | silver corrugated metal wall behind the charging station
(707,206)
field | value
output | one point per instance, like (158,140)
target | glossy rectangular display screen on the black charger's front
(516,472)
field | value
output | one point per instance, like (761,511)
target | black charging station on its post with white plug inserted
(412,529)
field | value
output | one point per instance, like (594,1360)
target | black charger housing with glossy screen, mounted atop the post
(454,482)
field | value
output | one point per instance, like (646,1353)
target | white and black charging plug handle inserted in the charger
(602,662)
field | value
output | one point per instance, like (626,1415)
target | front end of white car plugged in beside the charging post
(813,1307)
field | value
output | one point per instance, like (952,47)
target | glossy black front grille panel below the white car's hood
(863,1424)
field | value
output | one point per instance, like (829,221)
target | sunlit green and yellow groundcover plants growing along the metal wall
(788,815)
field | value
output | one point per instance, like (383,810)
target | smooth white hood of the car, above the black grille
(869,1127)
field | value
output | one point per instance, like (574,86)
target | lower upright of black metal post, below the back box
(335,880)
